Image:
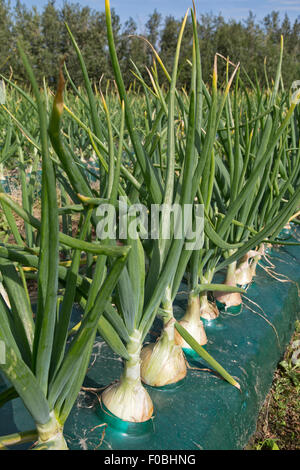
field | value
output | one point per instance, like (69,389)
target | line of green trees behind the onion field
(44,37)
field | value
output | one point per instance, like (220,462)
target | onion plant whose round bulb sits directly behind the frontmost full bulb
(163,362)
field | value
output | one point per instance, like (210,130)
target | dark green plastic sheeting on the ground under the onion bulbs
(203,412)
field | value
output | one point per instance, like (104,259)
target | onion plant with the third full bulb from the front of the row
(200,144)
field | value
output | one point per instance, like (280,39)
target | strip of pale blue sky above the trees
(140,9)
